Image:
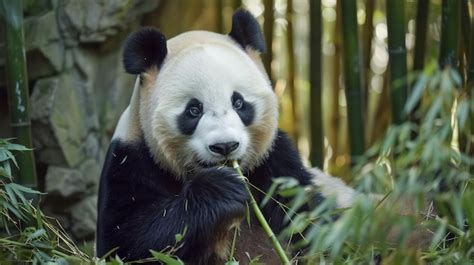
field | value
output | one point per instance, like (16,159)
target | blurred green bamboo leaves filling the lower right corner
(416,191)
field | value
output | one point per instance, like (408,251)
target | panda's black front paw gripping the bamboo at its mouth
(221,190)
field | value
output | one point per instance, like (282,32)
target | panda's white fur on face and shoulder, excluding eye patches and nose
(161,97)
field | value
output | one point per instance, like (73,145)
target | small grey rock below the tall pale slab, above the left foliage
(65,183)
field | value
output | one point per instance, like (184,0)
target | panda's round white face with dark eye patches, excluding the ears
(209,103)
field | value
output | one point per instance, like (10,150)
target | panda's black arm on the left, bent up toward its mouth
(137,211)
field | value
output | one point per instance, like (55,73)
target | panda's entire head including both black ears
(203,98)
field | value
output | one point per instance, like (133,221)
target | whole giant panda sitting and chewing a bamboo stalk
(200,99)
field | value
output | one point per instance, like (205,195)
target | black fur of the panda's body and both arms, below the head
(144,201)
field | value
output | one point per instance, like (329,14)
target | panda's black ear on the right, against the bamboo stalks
(246,31)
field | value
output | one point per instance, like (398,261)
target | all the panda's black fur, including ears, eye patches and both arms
(142,206)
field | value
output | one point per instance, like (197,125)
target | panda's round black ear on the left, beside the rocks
(144,49)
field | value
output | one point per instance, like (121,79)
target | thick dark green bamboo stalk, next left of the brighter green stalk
(353,79)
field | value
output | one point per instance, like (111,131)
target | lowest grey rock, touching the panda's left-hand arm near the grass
(84,218)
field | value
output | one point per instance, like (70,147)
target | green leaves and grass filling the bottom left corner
(27,234)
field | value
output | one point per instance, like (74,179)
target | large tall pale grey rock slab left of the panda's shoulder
(59,120)
